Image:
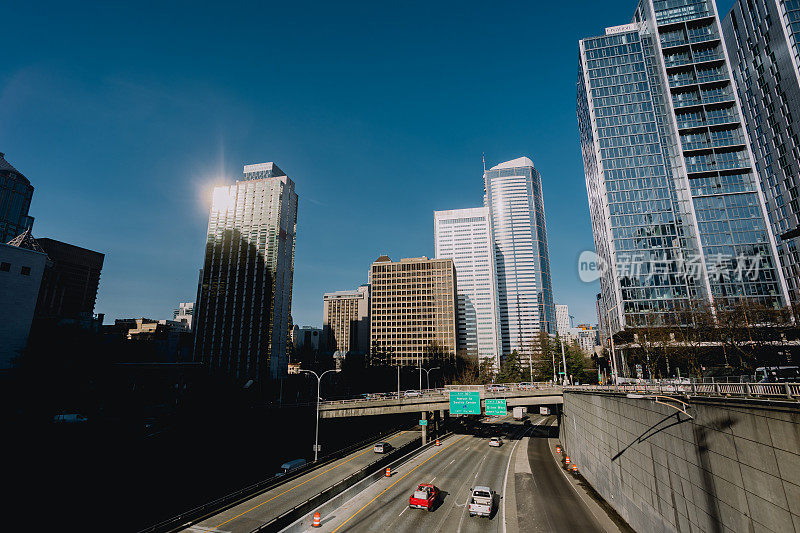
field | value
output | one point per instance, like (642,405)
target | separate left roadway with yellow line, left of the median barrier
(261,509)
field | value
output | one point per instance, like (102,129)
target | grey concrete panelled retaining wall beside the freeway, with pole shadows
(734,468)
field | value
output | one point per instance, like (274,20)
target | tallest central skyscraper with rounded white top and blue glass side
(513,194)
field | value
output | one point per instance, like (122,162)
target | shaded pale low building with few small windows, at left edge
(21,269)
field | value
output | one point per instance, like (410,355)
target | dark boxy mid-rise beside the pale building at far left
(70,281)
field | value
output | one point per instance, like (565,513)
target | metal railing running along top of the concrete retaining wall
(789,391)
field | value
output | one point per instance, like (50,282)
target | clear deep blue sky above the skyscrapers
(124,117)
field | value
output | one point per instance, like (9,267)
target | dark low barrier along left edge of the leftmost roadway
(201,512)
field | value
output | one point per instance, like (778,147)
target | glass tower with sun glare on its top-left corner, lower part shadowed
(243,303)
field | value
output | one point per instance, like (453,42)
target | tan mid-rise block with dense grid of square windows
(412,311)
